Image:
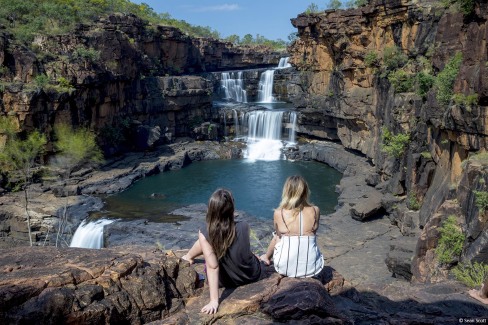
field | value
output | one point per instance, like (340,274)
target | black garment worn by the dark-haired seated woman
(239,265)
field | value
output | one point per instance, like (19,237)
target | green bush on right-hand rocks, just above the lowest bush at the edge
(451,241)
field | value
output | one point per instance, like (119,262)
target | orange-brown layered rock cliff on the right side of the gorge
(345,93)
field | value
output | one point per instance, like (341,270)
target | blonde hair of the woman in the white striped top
(295,194)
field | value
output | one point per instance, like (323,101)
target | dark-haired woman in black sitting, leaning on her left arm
(226,248)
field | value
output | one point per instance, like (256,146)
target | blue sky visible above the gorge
(269,18)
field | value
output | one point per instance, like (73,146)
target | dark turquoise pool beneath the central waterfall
(256,187)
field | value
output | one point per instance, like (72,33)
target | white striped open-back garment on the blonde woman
(298,256)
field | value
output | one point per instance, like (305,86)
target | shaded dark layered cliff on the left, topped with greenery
(119,68)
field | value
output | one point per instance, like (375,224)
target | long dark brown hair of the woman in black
(220,221)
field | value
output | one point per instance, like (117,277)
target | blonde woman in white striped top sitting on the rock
(294,245)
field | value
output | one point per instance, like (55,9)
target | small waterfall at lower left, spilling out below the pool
(90,234)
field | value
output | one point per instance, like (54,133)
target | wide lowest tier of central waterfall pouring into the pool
(265,133)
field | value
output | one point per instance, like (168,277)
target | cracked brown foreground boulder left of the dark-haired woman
(53,286)
